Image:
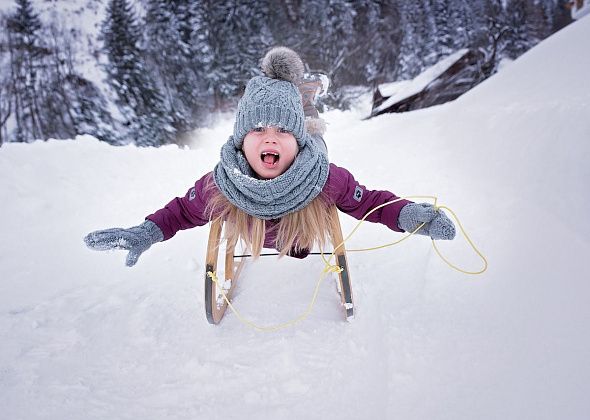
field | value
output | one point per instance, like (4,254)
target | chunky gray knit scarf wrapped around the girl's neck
(272,198)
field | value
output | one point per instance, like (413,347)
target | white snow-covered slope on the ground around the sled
(83,336)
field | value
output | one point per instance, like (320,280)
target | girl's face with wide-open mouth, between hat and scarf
(270,151)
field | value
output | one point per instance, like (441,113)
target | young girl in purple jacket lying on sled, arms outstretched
(273,185)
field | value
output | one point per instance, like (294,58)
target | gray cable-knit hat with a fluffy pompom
(273,99)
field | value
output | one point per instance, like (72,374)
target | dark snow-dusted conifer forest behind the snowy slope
(150,71)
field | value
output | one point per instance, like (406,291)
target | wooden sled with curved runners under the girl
(215,304)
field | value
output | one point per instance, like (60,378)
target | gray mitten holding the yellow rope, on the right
(438,225)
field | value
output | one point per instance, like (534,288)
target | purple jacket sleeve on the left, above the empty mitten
(184,212)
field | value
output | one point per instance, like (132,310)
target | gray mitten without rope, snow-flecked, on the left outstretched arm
(136,240)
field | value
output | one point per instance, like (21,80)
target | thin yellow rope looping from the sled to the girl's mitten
(331,268)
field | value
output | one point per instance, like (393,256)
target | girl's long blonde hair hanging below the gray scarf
(295,231)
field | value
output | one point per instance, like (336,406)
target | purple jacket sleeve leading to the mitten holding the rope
(356,200)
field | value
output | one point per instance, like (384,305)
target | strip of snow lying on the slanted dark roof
(399,91)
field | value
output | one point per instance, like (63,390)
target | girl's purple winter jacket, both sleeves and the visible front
(340,189)
